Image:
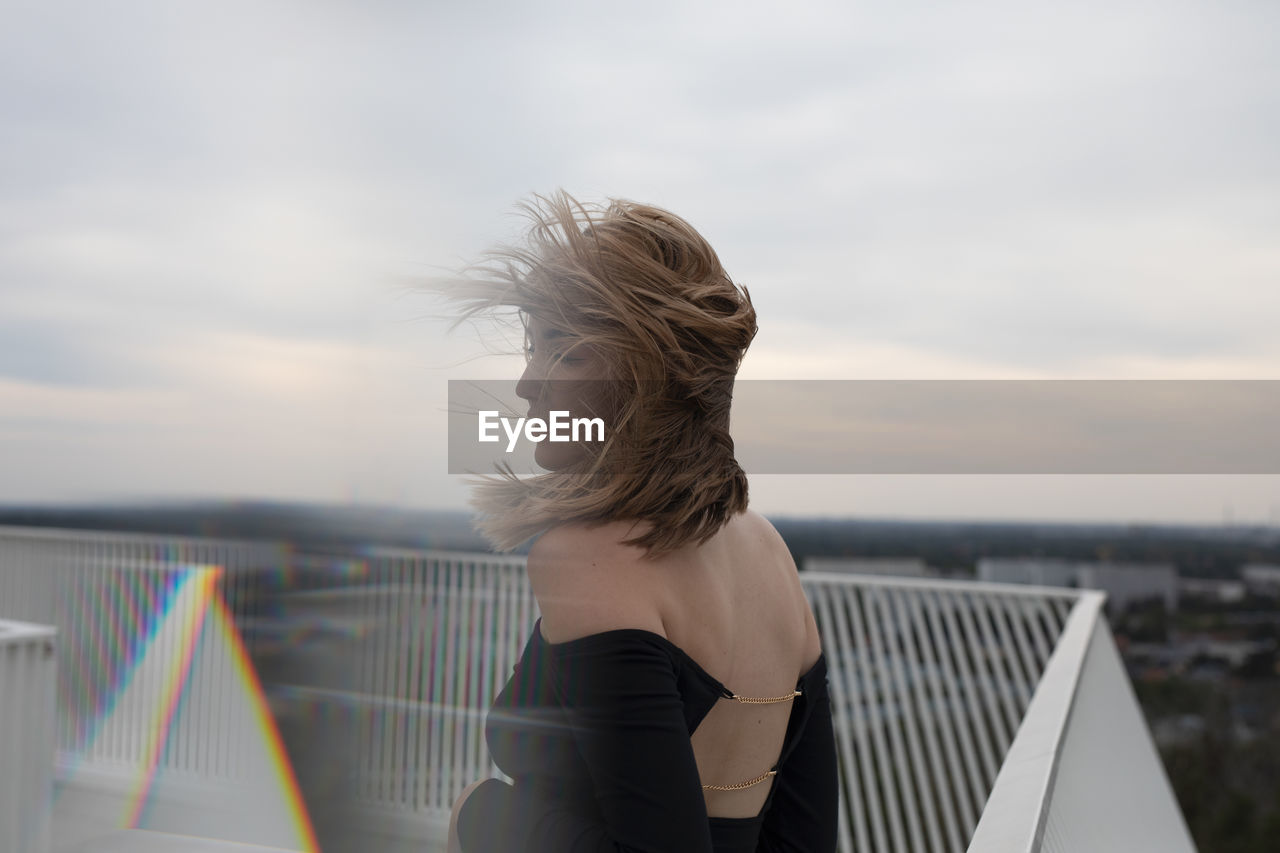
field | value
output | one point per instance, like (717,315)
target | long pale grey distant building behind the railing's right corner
(1124,583)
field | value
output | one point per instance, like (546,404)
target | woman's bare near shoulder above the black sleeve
(587,582)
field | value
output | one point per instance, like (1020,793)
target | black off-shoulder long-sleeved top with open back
(596,736)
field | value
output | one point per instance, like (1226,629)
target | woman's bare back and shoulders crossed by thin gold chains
(734,605)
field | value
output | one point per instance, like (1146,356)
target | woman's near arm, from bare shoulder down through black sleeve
(621,697)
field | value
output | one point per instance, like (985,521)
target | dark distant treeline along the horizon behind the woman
(1203,553)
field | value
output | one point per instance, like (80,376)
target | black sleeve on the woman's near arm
(621,699)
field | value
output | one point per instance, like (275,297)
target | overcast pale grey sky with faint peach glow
(209,216)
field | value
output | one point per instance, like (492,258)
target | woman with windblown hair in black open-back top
(673,697)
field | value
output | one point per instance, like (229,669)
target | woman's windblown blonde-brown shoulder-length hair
(647,293)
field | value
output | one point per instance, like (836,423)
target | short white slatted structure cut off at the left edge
(28,677)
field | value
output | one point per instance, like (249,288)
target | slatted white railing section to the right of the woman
(929,683)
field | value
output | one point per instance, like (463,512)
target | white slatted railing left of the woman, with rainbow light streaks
(152,674)
